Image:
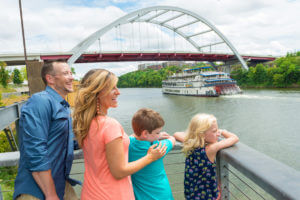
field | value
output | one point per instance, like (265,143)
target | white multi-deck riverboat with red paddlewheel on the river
(202,81)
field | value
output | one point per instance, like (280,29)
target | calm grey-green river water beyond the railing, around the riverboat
(266,120)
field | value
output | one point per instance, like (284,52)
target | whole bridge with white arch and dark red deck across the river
(156,25)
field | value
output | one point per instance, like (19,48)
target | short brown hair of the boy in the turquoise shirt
(146,119)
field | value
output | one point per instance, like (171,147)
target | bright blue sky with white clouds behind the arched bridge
(257,27)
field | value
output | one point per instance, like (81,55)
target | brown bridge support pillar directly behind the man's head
(35,82)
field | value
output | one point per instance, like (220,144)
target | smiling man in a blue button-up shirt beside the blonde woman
(46,139)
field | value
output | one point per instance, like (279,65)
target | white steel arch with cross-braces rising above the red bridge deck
(137,16)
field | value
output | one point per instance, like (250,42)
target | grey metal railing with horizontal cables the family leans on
(243,172)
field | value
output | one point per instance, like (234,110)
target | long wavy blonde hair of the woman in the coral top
(94,82)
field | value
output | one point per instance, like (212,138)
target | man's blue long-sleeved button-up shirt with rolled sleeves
(46,142)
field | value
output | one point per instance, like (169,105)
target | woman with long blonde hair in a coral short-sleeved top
(103,140)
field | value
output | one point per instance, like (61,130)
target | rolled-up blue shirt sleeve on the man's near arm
(36,121)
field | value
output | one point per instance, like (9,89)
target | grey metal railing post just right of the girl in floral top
(223,177)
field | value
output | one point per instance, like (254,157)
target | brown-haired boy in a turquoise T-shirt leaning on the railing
(150,182)
